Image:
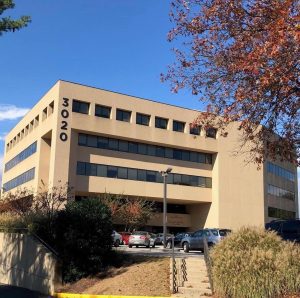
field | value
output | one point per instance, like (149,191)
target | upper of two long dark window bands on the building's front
(141,148)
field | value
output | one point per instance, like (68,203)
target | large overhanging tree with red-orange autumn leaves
(242,59)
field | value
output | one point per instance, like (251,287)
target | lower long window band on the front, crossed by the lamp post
(99,170)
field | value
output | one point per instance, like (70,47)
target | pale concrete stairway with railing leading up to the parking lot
(193,281)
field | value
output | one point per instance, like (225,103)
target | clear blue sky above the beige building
(118,45)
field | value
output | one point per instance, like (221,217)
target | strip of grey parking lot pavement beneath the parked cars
(158,251)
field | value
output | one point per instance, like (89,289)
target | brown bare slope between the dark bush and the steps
(138,276)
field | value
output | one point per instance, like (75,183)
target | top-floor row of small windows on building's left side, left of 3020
(30,126)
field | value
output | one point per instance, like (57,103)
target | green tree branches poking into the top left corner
(7,24)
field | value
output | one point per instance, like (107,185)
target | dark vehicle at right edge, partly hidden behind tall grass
(288,229)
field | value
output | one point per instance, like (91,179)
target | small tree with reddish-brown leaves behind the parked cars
(132,212)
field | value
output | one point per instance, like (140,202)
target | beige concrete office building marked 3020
(102,141)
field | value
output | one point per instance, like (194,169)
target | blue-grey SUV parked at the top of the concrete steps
(195,241)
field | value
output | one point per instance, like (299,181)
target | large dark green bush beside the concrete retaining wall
(83,238)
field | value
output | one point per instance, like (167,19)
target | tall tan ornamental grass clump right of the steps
(253,263)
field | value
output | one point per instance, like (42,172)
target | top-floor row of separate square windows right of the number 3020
(141,119)
